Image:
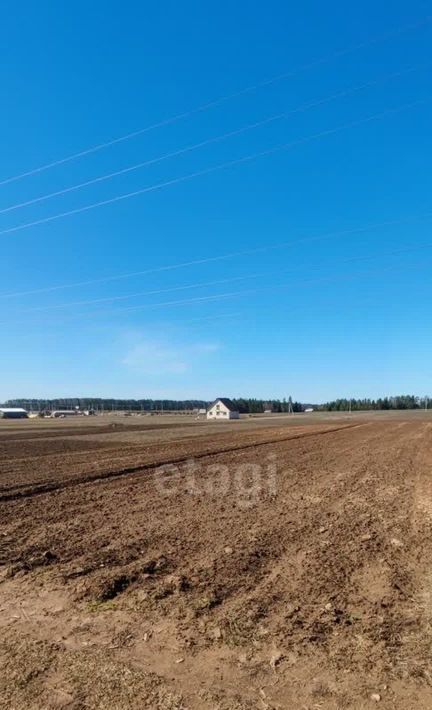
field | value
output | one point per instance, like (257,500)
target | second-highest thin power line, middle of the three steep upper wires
(214,139)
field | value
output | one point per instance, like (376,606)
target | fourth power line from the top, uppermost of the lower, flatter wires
(206,260)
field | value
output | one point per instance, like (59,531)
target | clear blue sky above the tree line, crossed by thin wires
(325,290)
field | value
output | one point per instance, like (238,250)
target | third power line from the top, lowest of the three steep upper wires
(215,168)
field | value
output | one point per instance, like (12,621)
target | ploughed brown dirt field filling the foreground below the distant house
(130,581)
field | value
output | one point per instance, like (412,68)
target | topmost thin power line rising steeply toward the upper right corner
(204,107)
